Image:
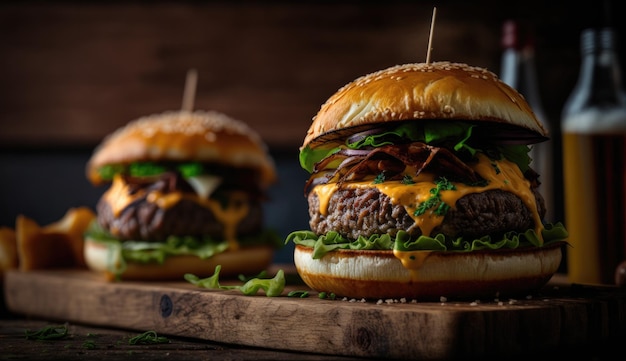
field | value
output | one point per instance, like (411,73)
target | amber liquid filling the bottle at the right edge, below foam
(595,203)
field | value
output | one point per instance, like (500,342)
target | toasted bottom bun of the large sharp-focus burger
(379,274)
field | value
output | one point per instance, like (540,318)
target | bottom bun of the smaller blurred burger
(246,260)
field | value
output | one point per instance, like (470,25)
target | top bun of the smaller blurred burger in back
(202,136)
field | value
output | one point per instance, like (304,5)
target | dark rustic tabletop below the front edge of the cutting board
(97,343)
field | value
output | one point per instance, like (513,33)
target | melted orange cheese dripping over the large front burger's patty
(499,174)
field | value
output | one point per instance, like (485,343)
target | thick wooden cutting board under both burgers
(558,316)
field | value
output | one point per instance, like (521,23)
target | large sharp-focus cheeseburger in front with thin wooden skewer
(420,187)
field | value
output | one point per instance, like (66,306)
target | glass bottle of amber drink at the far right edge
(594,153)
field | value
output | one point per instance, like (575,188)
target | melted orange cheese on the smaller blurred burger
(234,211)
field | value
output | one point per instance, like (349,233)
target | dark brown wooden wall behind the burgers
(71,72)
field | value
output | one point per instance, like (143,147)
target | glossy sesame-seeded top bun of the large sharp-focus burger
(439,90)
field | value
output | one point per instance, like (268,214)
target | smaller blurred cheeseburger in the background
(186,192)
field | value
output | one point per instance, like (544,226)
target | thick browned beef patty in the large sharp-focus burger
(355,212)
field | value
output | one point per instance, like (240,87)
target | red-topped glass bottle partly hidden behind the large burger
(518,70)
